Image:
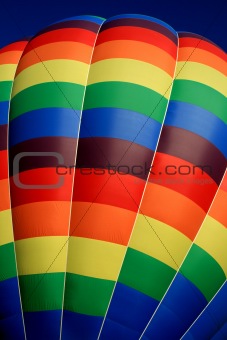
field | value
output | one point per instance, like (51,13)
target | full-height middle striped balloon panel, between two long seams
(132,66)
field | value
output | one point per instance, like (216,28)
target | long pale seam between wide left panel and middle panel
(74,171)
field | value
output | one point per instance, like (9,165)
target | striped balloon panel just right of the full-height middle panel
(176,200)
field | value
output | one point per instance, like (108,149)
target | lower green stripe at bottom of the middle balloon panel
(87,295)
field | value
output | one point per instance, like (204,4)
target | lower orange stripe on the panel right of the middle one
(172,208)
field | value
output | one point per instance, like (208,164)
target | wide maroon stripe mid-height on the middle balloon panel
(112,153)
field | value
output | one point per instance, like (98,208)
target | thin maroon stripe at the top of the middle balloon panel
(140,23)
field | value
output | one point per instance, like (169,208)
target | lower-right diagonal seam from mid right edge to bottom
(180,266)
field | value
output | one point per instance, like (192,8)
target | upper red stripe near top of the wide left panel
(66,34)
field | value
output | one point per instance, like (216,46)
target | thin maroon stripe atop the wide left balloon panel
(88,25)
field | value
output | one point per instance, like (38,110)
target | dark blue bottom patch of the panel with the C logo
(43,325)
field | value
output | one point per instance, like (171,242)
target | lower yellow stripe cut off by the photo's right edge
(213,239)
